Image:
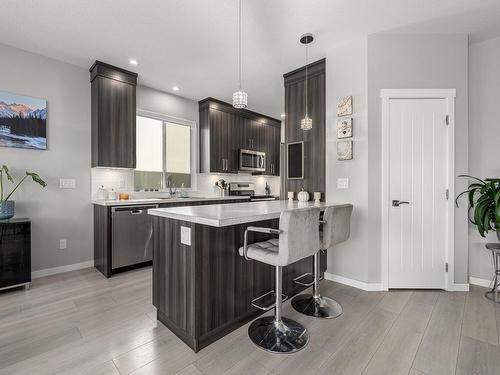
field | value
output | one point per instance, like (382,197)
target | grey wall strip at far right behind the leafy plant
(484,137)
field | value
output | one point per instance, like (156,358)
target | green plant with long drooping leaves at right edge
(484,204)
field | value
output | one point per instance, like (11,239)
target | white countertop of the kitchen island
(222,215)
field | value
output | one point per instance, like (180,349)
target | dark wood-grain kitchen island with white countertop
(202,287)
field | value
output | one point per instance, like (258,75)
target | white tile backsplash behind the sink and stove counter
(122,180)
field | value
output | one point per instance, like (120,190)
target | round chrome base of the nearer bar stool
(285,336)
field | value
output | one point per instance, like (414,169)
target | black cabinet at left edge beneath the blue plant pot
(15,252)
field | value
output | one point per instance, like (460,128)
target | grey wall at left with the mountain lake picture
(56,213)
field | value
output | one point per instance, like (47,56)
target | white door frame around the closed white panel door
(449,95)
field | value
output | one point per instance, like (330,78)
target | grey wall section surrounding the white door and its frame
(417,61)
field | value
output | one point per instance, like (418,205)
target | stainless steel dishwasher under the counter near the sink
(132,232)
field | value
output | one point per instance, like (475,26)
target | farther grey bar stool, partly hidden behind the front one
(336,229)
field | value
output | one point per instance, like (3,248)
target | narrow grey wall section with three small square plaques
(346,68)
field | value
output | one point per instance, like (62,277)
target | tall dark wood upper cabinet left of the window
(113,109)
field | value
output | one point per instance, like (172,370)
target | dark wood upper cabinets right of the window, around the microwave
(225,130)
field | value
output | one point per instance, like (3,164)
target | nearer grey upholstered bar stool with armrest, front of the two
(298,239)
